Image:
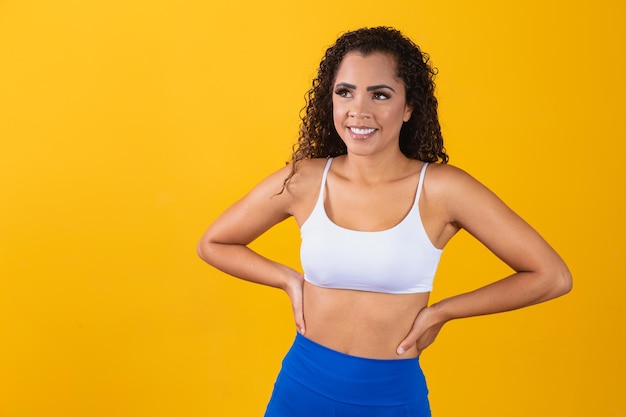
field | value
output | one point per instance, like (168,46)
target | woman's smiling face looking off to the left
(369,103)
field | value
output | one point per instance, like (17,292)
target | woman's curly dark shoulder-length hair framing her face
(420,137)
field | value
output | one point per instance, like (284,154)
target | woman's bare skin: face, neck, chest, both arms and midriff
(372,188)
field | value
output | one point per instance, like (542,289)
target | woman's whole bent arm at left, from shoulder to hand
(225,243)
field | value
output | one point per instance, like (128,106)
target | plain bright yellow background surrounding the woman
(127,126)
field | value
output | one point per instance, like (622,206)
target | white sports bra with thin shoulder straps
(399,260)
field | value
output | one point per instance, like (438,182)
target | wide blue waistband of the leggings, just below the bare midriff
(353,379)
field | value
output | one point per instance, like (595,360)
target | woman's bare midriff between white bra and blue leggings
(361,323)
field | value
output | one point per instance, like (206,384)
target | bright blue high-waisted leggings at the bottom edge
(316,381)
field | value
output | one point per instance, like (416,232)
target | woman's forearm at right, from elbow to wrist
(519,290)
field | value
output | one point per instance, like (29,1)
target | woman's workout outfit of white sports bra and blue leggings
(316,381)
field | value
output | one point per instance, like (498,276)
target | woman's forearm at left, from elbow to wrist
(242,262)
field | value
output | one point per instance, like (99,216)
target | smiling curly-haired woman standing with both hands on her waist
(376,203)
